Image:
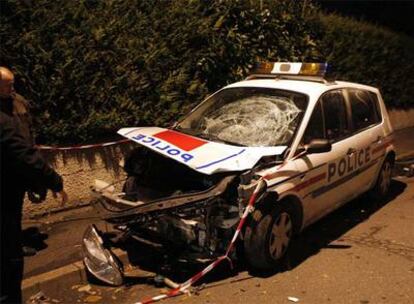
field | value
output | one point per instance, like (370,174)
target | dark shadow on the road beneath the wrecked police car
(310,242)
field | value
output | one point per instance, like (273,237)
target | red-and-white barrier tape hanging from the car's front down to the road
(183,288)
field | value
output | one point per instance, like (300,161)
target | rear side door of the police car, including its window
(367,135)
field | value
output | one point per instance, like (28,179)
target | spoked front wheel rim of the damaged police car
(280,236)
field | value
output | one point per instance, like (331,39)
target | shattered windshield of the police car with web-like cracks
(247,117)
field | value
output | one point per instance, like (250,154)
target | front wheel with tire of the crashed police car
(267,237)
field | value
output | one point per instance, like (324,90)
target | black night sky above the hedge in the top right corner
(396,15)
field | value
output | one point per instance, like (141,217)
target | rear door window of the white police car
(364,109)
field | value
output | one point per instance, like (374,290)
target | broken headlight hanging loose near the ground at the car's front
(99,261)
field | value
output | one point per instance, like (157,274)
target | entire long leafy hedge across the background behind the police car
(91,67)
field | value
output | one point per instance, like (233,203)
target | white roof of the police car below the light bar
(311,88)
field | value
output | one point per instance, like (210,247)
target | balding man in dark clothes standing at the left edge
(22,169)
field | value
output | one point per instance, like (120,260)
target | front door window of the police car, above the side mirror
(336,122)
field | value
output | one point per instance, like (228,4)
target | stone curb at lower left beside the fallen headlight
(61,278)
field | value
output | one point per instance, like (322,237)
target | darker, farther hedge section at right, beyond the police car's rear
(362,52)
